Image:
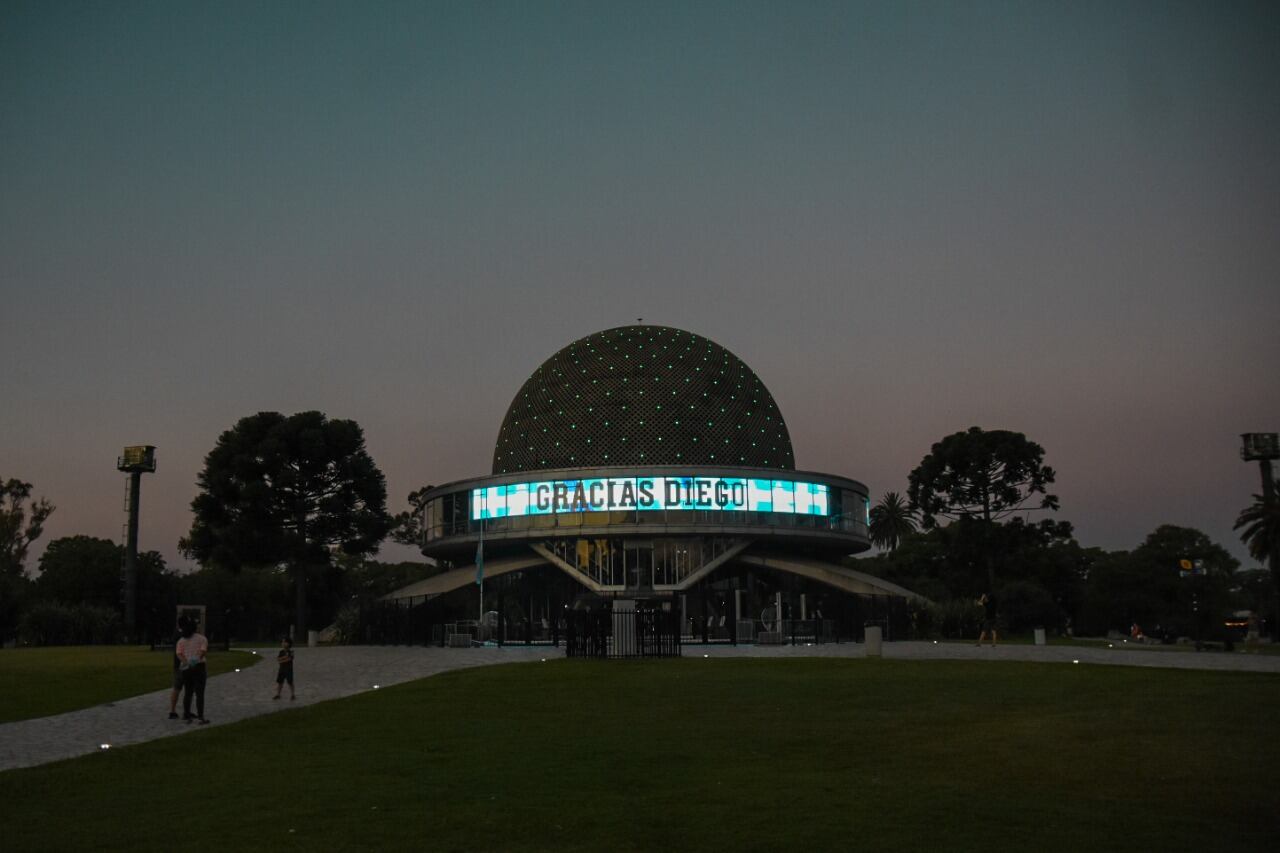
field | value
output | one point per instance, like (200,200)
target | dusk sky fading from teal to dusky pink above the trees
(908,218)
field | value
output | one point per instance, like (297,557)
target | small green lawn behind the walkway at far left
(43,682)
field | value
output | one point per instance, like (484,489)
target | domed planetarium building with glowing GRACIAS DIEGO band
(644,469)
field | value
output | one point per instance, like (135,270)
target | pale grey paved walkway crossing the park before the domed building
(333,673)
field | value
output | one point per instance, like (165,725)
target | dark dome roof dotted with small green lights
(643,395)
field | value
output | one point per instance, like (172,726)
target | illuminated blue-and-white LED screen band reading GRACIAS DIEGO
(633,494)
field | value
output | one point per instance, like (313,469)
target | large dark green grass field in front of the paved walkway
(697,755)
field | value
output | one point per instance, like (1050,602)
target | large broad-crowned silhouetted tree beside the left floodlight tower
(289,491)
